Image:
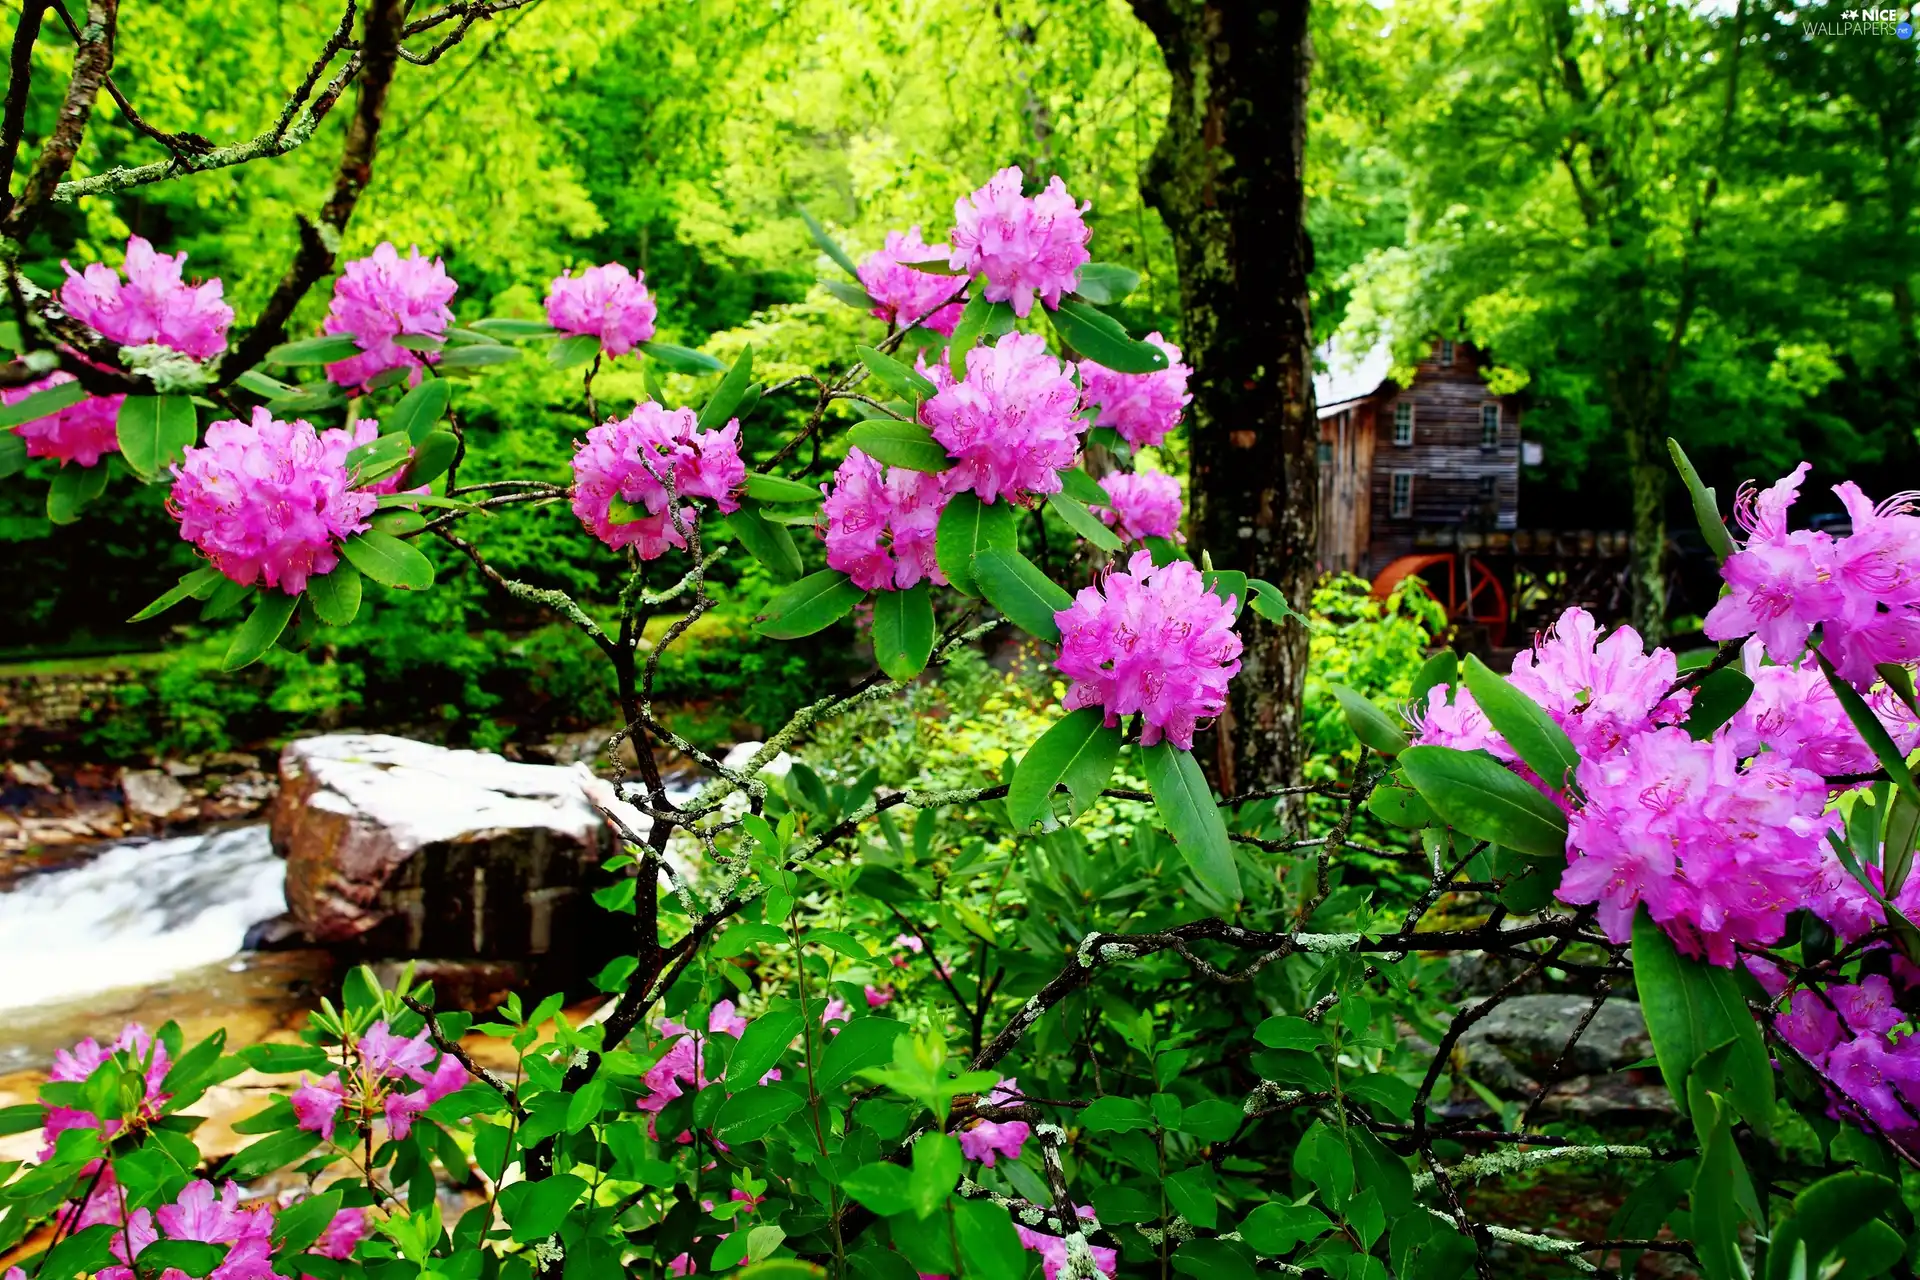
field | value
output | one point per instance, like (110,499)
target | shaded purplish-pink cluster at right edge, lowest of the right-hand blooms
(1854,1037)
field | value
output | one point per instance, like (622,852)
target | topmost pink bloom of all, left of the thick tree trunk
(1022,245)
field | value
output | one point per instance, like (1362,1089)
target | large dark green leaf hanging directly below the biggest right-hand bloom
(1692,1008)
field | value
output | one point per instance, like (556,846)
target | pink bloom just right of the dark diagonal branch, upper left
(383,298)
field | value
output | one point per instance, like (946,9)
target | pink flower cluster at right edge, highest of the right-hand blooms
(1861,590)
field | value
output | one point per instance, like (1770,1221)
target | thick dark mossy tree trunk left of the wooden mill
(1228,181)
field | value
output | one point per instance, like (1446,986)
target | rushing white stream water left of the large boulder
(137,914)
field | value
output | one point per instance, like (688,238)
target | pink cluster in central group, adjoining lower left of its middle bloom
(882,523)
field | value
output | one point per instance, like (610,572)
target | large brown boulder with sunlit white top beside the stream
(400,849)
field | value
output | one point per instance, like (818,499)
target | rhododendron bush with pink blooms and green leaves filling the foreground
(1072,1012)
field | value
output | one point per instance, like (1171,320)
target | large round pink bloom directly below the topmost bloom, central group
(1011,427)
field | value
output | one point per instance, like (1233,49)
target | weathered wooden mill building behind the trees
(1412,469)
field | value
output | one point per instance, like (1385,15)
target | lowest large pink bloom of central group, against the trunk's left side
(1153,642)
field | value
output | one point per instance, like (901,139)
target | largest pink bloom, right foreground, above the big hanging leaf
(1719,855)
